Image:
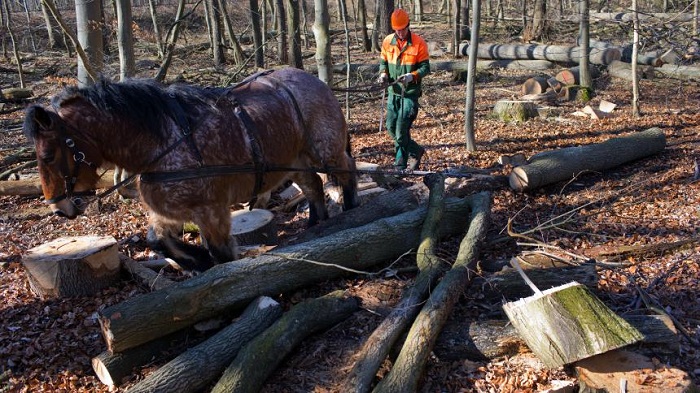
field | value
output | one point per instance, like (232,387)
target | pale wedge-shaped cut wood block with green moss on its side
(568,323)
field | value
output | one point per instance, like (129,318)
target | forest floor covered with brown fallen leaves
(640,206)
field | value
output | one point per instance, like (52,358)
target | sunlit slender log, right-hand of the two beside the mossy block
(408,368)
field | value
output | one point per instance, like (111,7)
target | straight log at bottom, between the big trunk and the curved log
(199,366)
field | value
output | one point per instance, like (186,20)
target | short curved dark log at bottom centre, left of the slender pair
(258,359)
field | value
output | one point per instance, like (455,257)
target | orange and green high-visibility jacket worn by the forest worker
(411,57)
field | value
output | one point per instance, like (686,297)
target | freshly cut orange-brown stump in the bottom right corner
(604,373)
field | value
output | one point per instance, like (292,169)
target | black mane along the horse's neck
(146,101)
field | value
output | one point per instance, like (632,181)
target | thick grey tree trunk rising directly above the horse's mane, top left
(88,18)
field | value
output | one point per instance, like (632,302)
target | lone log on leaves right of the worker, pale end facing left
(564,164)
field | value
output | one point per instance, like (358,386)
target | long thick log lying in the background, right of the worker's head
(555,53)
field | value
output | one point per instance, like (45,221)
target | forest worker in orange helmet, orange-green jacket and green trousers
(404,60)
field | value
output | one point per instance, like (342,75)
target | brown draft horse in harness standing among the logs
(197,150)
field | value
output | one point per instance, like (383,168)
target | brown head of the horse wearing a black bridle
(66,163)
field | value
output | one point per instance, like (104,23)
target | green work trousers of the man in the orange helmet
(400,114)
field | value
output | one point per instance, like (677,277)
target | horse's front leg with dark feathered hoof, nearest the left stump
(165,235)
